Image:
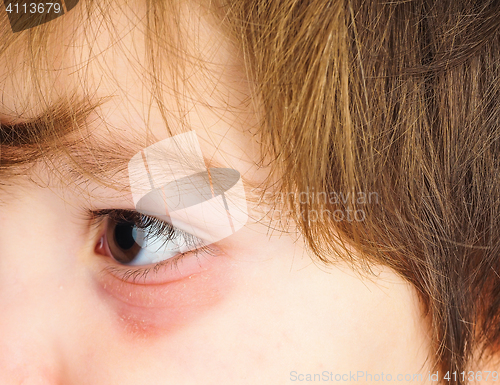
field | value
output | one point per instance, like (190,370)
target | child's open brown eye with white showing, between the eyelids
(134,239)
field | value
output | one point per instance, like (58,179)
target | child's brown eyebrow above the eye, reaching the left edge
(62,134)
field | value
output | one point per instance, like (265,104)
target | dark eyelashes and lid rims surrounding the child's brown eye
(158,228)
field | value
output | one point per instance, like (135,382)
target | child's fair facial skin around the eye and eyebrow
(255,310)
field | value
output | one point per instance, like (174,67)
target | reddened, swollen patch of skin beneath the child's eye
(144,311)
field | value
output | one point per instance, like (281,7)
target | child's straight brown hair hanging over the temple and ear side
(398,99)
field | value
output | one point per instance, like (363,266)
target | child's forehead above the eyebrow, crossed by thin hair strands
(159,85)
